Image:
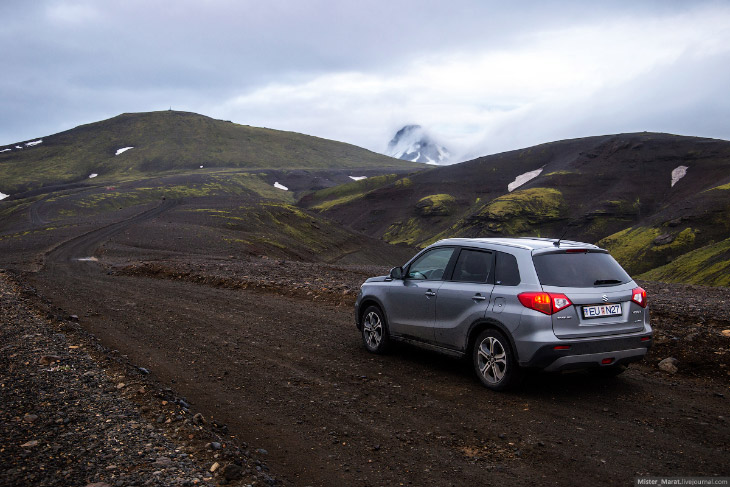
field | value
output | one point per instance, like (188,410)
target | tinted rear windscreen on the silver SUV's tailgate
(579,269)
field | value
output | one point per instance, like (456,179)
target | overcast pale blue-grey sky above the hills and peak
(481,76)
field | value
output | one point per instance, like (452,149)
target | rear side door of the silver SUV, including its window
(465,297)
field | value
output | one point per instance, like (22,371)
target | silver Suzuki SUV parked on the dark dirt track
(511,304)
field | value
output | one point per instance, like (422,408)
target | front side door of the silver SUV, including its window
(411,302)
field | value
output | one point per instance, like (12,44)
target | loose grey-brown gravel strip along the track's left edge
(75,413)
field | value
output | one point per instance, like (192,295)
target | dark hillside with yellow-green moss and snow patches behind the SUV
(649,198)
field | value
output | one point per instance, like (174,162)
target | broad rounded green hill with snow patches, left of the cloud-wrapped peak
(160,142)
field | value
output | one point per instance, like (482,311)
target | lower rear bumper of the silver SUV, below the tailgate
(591,353)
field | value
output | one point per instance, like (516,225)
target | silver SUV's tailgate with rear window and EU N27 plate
(599,290)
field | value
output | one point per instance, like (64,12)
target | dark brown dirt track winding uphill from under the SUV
(289,374)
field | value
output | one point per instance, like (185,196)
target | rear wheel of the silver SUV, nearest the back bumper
(494,361)
